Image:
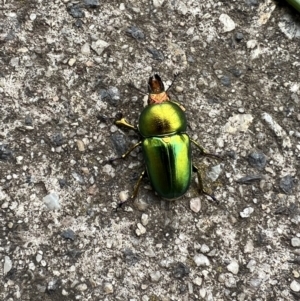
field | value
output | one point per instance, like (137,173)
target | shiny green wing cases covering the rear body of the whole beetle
(168,164)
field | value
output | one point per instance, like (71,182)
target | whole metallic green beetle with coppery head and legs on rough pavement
(166,146)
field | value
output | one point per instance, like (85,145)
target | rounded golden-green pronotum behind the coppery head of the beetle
(162,119)
